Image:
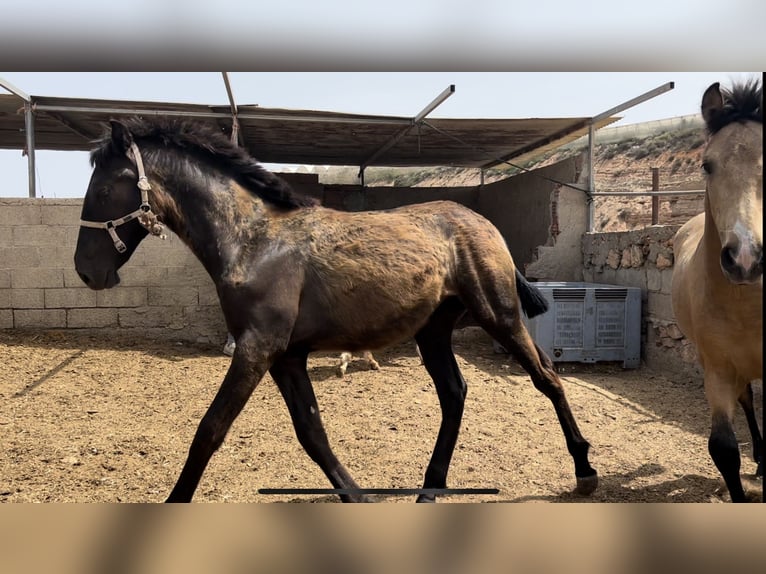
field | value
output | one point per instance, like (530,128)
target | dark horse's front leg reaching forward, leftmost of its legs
(248,366)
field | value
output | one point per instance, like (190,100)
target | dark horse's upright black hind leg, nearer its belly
(435,343)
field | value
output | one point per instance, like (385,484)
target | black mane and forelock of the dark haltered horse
(210,145)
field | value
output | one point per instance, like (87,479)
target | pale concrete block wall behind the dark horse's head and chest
(164,289)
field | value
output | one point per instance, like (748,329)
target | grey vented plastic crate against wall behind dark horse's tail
(589,322)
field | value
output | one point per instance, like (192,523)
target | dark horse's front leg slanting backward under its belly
(289,372)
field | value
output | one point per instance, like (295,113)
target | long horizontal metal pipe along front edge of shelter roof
(214,115)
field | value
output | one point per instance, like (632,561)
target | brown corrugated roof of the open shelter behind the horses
(304,137)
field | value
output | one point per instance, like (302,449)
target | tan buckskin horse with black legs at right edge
(718,273)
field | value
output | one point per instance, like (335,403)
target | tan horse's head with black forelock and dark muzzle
(733,163)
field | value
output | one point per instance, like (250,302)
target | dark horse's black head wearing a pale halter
(114,211)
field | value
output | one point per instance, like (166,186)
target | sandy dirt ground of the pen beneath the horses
(94,418)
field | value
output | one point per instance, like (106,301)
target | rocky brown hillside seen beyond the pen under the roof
(620,166)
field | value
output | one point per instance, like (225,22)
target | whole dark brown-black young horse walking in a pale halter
(294,277)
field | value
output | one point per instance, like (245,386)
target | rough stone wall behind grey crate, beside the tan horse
(644,258)
